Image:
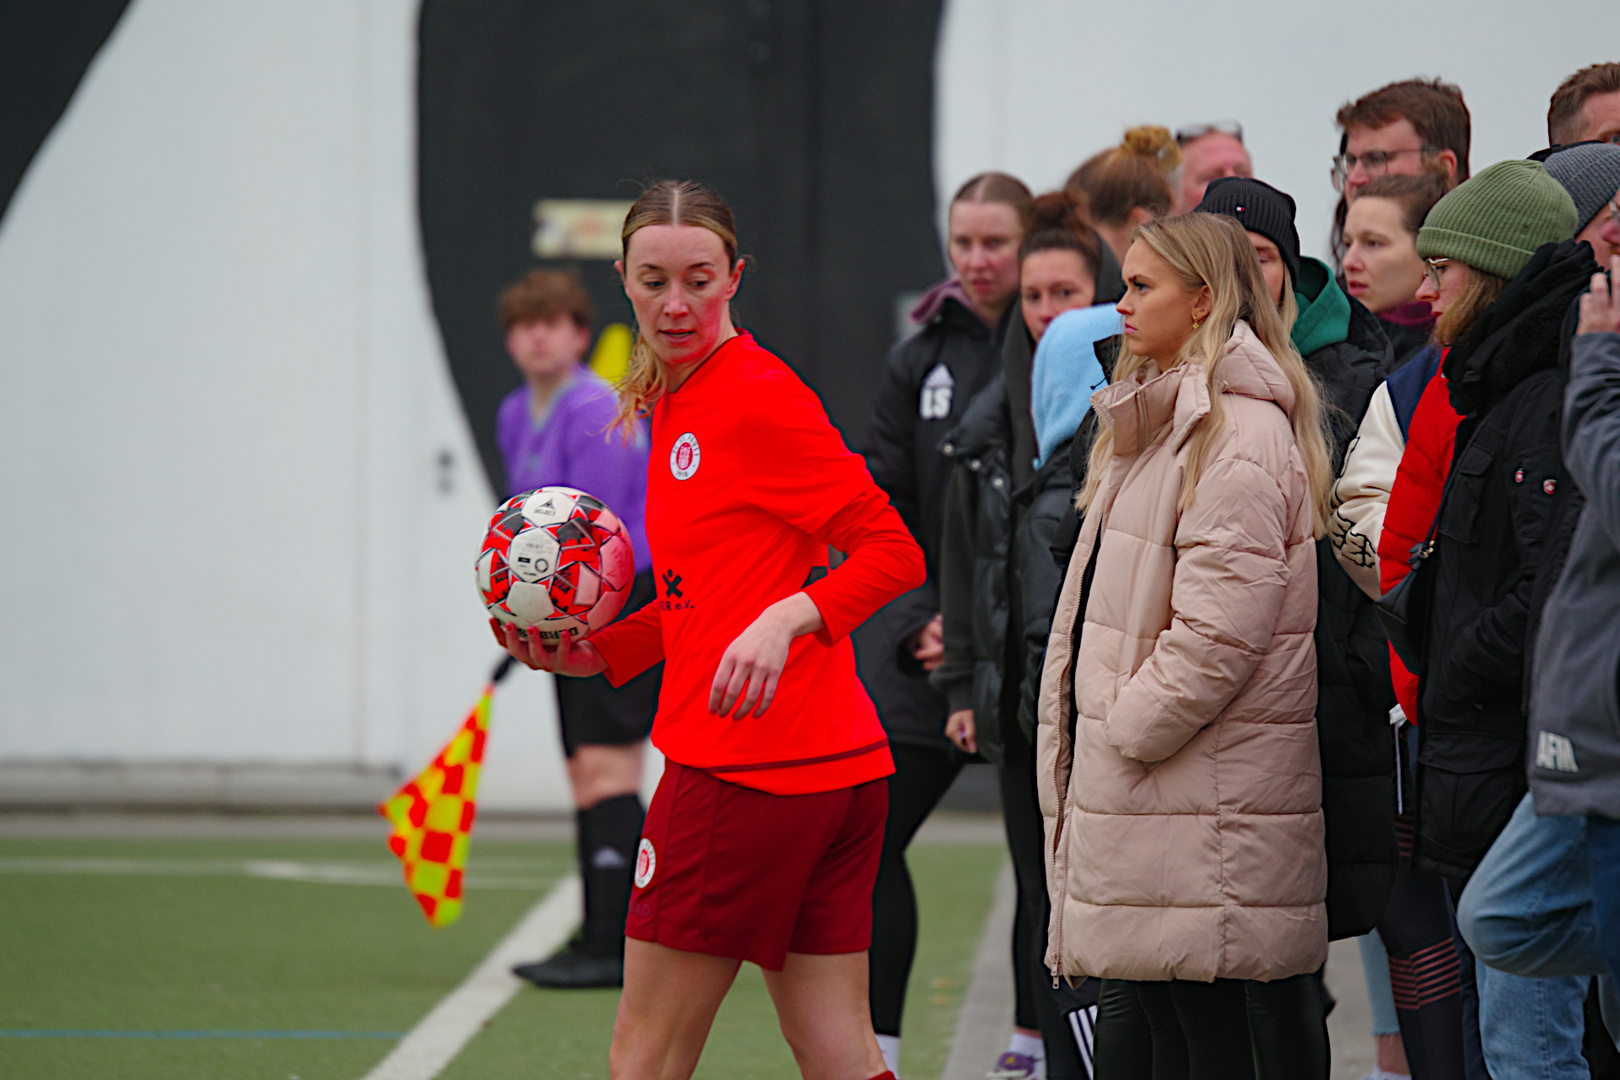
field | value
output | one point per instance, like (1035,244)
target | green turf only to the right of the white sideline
(565,1034)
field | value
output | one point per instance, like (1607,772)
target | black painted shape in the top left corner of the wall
(45,53)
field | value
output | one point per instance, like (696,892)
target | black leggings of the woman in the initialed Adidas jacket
(923,775)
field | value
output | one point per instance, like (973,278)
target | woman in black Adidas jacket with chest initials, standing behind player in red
(927,385)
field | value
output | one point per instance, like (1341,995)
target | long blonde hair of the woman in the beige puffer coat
(1213,250)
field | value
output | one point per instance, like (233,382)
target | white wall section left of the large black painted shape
(223,402)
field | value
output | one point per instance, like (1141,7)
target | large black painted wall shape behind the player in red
(812,119)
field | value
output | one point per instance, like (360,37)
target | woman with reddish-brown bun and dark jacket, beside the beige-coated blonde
(989,598)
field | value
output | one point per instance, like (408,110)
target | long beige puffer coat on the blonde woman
(1187,840)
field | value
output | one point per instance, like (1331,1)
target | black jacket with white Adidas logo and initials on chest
(927,385)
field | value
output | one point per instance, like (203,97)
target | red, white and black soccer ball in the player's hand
(556,559)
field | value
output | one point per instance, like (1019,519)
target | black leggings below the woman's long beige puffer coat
(1174,1031)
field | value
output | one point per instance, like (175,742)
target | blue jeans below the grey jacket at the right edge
(1528,917)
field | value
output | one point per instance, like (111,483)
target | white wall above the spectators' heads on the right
(1038,87)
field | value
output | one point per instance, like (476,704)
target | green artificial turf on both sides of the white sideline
(173,937)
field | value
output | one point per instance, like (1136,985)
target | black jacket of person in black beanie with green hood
(1354,671)
